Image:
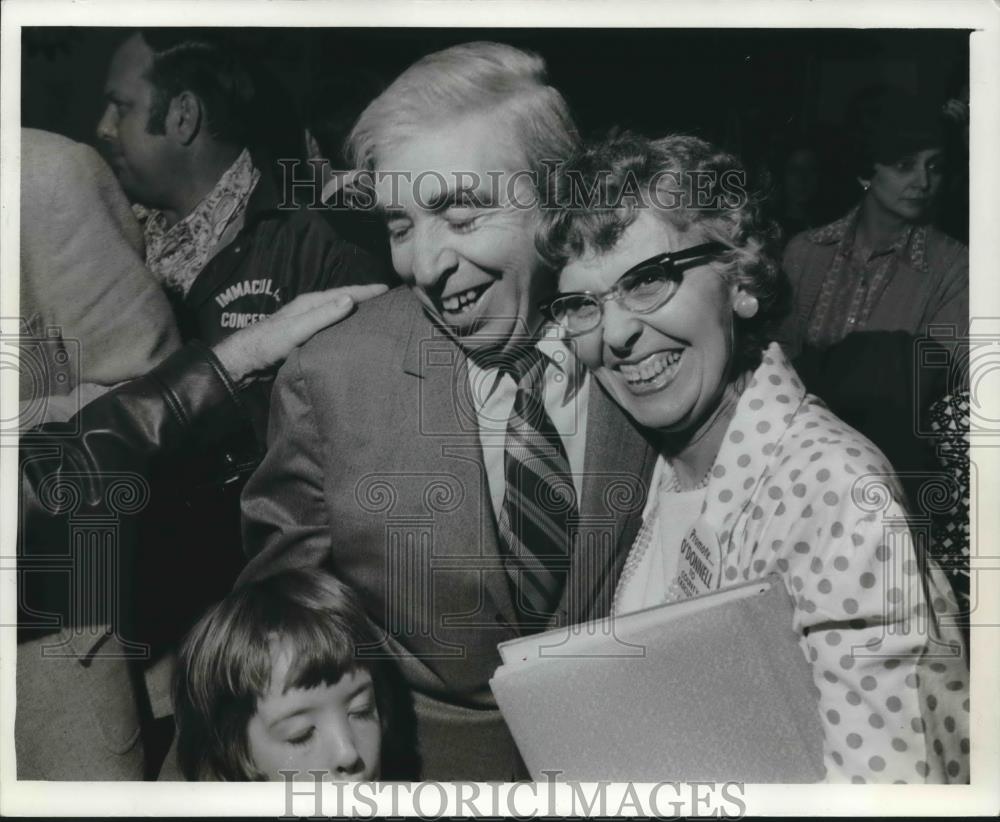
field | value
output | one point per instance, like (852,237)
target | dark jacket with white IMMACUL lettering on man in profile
(189,535)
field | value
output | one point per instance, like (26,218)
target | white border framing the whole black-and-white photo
(981,797)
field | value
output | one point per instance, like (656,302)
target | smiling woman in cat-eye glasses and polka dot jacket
(668,294)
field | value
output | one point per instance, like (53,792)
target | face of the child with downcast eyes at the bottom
(333,728)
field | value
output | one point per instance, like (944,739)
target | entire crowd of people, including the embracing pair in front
(363,446)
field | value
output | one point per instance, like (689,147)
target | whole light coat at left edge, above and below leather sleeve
(101,319)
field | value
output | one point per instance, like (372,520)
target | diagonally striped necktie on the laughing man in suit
(539,504)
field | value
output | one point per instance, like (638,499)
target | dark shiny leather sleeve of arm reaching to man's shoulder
(93,468)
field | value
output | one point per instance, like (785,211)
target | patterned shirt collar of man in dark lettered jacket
(177,255)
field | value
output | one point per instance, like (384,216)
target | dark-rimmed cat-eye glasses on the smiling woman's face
(644,288)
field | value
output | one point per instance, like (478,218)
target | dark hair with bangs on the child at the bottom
(226,663)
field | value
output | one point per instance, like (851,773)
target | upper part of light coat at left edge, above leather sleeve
(84,288)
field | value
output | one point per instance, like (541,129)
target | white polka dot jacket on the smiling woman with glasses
(795,491)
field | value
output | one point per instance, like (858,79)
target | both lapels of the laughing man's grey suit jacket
(617,468)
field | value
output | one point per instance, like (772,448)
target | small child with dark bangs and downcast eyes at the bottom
(284,675)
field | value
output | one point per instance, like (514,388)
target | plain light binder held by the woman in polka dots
(710,688)
